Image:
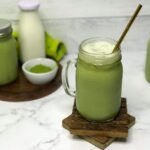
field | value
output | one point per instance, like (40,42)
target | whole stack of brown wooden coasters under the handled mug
(100,134)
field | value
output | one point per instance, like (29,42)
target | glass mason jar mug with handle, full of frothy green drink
(98,79)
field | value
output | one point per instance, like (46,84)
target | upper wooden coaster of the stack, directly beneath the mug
(116,128)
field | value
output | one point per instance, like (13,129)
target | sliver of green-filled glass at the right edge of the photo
(147,66)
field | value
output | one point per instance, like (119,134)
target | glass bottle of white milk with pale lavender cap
(31,31)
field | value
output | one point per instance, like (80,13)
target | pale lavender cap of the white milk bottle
(28,4)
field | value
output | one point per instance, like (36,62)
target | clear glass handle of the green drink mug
(64,77)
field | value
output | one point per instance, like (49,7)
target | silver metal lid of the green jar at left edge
(5,28)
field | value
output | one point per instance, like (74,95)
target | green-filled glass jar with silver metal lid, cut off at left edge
(8,54)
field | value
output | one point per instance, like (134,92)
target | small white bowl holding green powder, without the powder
(40,78)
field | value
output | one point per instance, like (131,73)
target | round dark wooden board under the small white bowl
(23,90)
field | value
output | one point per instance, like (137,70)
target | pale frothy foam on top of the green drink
(99,47)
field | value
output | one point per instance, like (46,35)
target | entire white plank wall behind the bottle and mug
(72,21)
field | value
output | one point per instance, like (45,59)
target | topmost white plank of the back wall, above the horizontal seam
(77,8)
